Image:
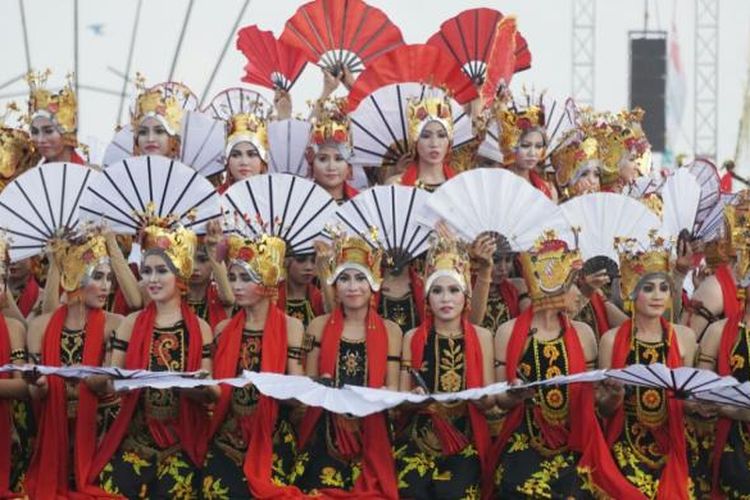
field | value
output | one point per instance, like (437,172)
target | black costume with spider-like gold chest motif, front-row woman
(320,465)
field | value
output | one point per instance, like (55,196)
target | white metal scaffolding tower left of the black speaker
(583,51)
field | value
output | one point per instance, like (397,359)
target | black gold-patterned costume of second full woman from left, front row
(140,460)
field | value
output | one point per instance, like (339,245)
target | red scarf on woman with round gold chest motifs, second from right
(674,476)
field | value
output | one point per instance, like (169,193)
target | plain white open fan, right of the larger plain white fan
(603,216)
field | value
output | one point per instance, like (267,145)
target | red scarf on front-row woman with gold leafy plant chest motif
(474,378)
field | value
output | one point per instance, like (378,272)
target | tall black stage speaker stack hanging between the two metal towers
(648,83)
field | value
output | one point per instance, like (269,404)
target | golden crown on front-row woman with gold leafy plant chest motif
(448,257)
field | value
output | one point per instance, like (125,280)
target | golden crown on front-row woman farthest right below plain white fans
(637,262)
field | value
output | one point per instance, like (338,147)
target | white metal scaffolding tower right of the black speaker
(706,78)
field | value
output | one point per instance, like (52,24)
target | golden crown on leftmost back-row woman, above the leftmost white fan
(60,107)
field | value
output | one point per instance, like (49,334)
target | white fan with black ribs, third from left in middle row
(282,205)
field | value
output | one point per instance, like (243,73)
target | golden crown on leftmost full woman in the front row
(76,258)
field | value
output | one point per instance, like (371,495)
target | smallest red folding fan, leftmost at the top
(271,63)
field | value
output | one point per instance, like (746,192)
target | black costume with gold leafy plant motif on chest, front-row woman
(423,470)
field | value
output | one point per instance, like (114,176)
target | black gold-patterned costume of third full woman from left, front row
(223,477)
